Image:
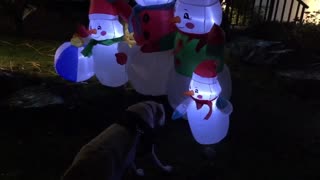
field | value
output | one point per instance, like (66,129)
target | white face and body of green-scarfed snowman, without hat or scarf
(107,70)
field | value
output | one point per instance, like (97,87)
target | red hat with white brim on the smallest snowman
(206,72)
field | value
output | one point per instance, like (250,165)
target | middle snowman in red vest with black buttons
(151,59)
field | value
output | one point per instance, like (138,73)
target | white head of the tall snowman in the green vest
(197,16)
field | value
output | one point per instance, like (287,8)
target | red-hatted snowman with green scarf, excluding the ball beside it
(106,45)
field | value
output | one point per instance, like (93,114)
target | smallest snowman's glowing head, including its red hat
(204,84)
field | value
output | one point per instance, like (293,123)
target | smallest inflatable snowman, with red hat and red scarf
(207,113)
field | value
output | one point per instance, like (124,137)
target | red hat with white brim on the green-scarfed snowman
(102,10)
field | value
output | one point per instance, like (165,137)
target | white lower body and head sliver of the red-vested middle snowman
(148,72)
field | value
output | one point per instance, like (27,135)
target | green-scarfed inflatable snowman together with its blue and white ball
(102,47)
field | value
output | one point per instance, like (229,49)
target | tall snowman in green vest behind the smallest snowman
(199,38)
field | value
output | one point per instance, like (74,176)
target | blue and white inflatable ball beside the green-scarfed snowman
(71,65)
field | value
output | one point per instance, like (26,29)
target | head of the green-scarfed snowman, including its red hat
(104,23)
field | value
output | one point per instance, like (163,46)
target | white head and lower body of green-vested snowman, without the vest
(197,17)
